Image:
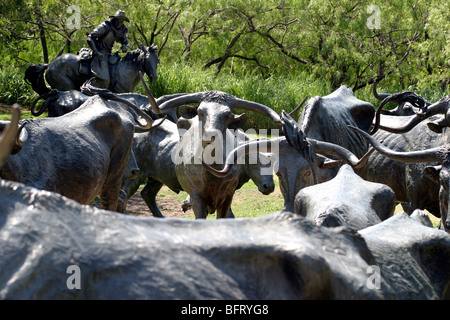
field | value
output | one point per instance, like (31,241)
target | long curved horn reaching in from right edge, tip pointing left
(429,155)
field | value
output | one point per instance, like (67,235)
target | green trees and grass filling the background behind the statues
(274,52)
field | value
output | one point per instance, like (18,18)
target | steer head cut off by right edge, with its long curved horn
(440,173)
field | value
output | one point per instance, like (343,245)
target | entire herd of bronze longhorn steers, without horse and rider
(343,166)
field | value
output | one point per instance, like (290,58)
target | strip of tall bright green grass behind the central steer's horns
(278,93)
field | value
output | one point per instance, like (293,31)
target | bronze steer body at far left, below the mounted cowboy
(79,155)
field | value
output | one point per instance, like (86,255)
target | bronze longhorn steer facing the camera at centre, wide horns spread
(208,129)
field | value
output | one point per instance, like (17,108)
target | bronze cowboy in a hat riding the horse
(101,41)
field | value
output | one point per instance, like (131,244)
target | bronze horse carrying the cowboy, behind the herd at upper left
(69,71)
